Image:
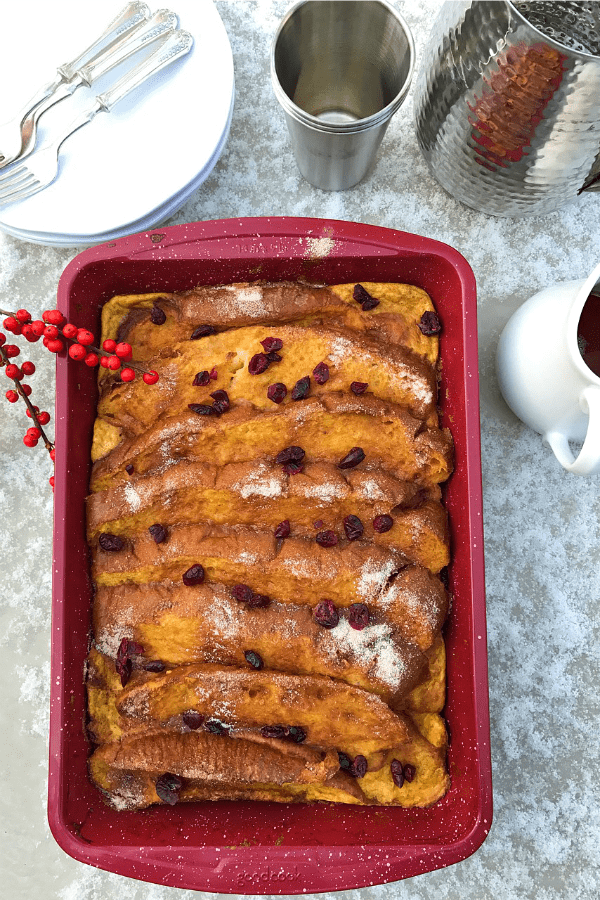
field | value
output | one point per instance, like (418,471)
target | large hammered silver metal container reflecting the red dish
(507,103)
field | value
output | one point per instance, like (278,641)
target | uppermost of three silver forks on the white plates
(18,135)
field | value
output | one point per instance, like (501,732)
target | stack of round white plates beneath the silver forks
(132,168)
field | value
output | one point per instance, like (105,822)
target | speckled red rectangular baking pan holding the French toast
(269,848)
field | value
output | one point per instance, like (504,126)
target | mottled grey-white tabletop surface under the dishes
(542,526)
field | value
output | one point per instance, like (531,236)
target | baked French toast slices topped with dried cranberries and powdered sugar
(268,541)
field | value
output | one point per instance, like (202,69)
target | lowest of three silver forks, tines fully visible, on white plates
(25,179)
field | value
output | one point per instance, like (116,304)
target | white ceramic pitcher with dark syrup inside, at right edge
(544,377)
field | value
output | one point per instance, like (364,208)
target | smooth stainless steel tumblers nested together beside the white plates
(340,70)
